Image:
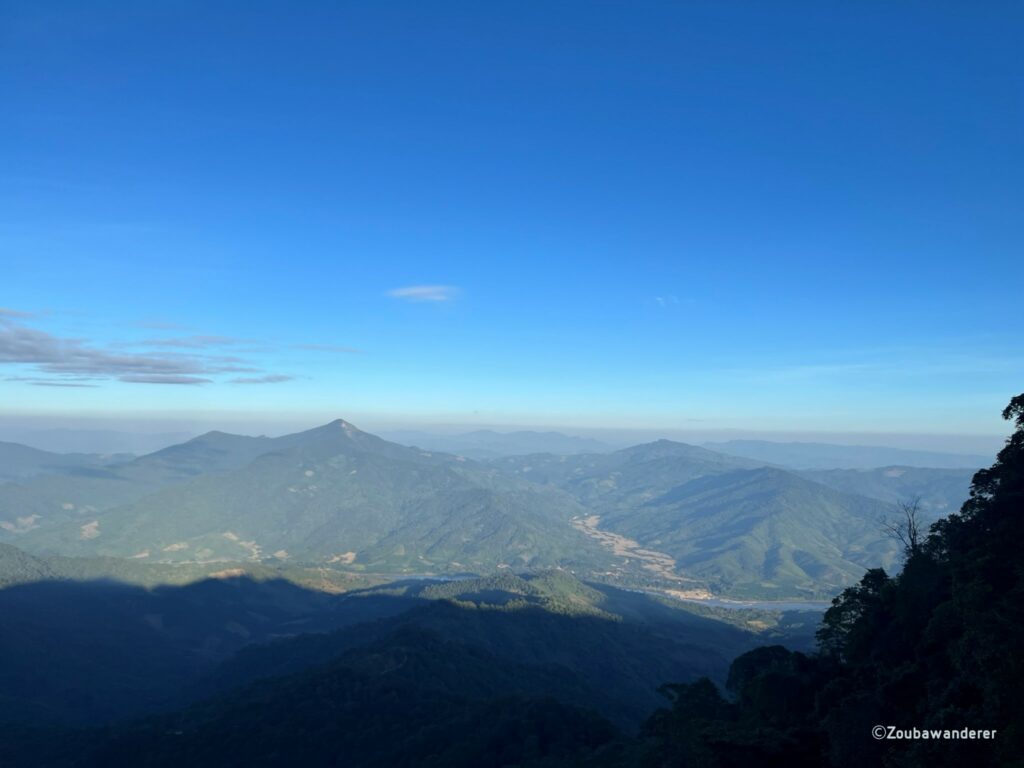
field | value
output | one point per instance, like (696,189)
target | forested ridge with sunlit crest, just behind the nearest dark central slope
(547,620)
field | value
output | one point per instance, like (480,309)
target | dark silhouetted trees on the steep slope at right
(935,648)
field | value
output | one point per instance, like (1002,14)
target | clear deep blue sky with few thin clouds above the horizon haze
(652,216)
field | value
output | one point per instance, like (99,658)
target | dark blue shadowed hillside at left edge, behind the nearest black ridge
(89,653)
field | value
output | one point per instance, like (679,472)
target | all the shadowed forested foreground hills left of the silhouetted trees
(508,670)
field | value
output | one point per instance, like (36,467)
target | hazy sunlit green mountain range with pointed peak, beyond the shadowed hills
(664,515)
